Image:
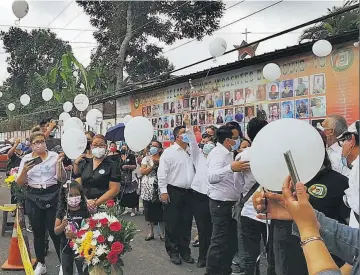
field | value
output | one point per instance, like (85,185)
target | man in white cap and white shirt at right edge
(350,156)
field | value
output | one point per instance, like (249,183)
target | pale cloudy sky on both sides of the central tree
(70,23)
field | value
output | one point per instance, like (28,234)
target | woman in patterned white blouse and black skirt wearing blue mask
(150,190)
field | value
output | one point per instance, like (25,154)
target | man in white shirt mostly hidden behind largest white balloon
(251,229)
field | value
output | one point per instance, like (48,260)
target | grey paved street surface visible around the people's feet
(147,258)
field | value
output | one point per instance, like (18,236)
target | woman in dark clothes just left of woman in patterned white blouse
(129,197)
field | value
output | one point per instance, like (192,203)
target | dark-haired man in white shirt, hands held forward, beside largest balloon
(223,193)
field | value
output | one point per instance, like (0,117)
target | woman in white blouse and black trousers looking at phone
(39,171)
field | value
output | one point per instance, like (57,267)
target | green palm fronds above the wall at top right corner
(345,22)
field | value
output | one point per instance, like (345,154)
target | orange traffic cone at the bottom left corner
(14,261)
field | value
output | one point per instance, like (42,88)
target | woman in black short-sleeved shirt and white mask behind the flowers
(99,175)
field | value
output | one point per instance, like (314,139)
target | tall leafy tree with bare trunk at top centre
(125,29)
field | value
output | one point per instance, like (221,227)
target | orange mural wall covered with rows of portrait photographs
(309,89)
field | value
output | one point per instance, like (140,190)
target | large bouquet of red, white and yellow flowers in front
(103,239)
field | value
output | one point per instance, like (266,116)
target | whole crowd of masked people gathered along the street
(314,231)
